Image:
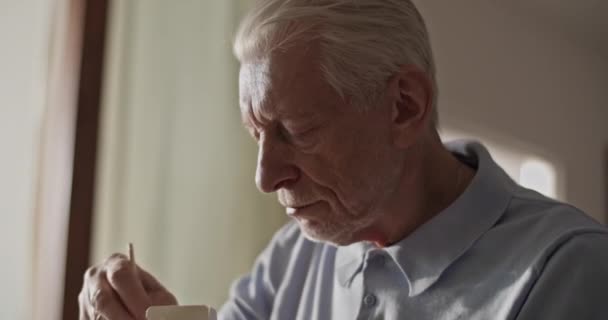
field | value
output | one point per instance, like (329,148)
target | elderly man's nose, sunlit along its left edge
(274,170)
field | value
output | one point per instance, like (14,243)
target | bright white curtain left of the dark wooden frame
(37,88)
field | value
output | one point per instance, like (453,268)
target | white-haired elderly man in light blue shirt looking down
(388,223)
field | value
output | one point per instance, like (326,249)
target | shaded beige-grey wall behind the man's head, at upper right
(505,76)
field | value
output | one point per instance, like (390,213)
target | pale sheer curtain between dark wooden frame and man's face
(176,168)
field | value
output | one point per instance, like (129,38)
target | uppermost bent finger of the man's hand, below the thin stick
(123,277)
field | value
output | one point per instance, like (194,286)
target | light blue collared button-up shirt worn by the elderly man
(500,251)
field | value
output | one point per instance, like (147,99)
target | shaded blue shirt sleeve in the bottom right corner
(573,284)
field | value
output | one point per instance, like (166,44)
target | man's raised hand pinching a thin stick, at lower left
(118,289)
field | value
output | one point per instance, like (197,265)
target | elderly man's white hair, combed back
(363,42)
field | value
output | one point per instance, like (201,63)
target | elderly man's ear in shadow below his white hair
(411,97)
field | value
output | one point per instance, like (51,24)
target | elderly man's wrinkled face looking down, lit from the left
(332,166)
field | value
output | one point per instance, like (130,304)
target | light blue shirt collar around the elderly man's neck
(433,247)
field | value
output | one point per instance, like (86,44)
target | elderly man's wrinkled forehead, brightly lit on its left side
(289,84)
